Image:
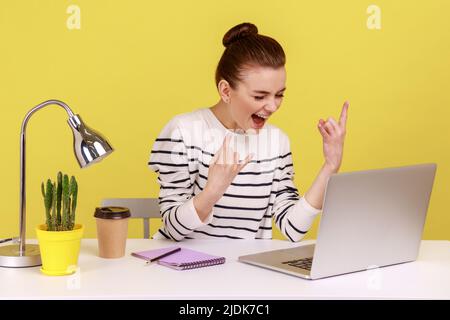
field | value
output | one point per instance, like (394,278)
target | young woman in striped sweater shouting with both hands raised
(223,171)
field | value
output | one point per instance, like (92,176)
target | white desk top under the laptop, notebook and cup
(130,278)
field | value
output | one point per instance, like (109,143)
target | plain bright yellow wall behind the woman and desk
(134,65)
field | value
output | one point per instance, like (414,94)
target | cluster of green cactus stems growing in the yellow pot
(60,201)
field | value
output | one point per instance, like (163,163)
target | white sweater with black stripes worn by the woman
(263,190)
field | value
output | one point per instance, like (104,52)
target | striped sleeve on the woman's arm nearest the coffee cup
(169,160)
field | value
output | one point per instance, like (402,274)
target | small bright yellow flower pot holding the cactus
(59,249)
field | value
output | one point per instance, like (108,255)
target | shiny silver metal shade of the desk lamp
(89,145)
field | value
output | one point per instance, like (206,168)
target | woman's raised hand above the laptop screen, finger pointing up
(333,134)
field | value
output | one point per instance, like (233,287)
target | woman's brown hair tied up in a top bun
(244,47)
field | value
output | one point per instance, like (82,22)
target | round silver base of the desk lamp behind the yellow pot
(11,258)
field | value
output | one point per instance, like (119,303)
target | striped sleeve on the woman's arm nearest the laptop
(293,215)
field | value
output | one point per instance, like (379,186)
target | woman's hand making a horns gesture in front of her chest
(224,167)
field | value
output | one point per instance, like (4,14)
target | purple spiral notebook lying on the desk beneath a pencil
(181,260)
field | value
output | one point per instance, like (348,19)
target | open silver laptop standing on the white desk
(370,219)
